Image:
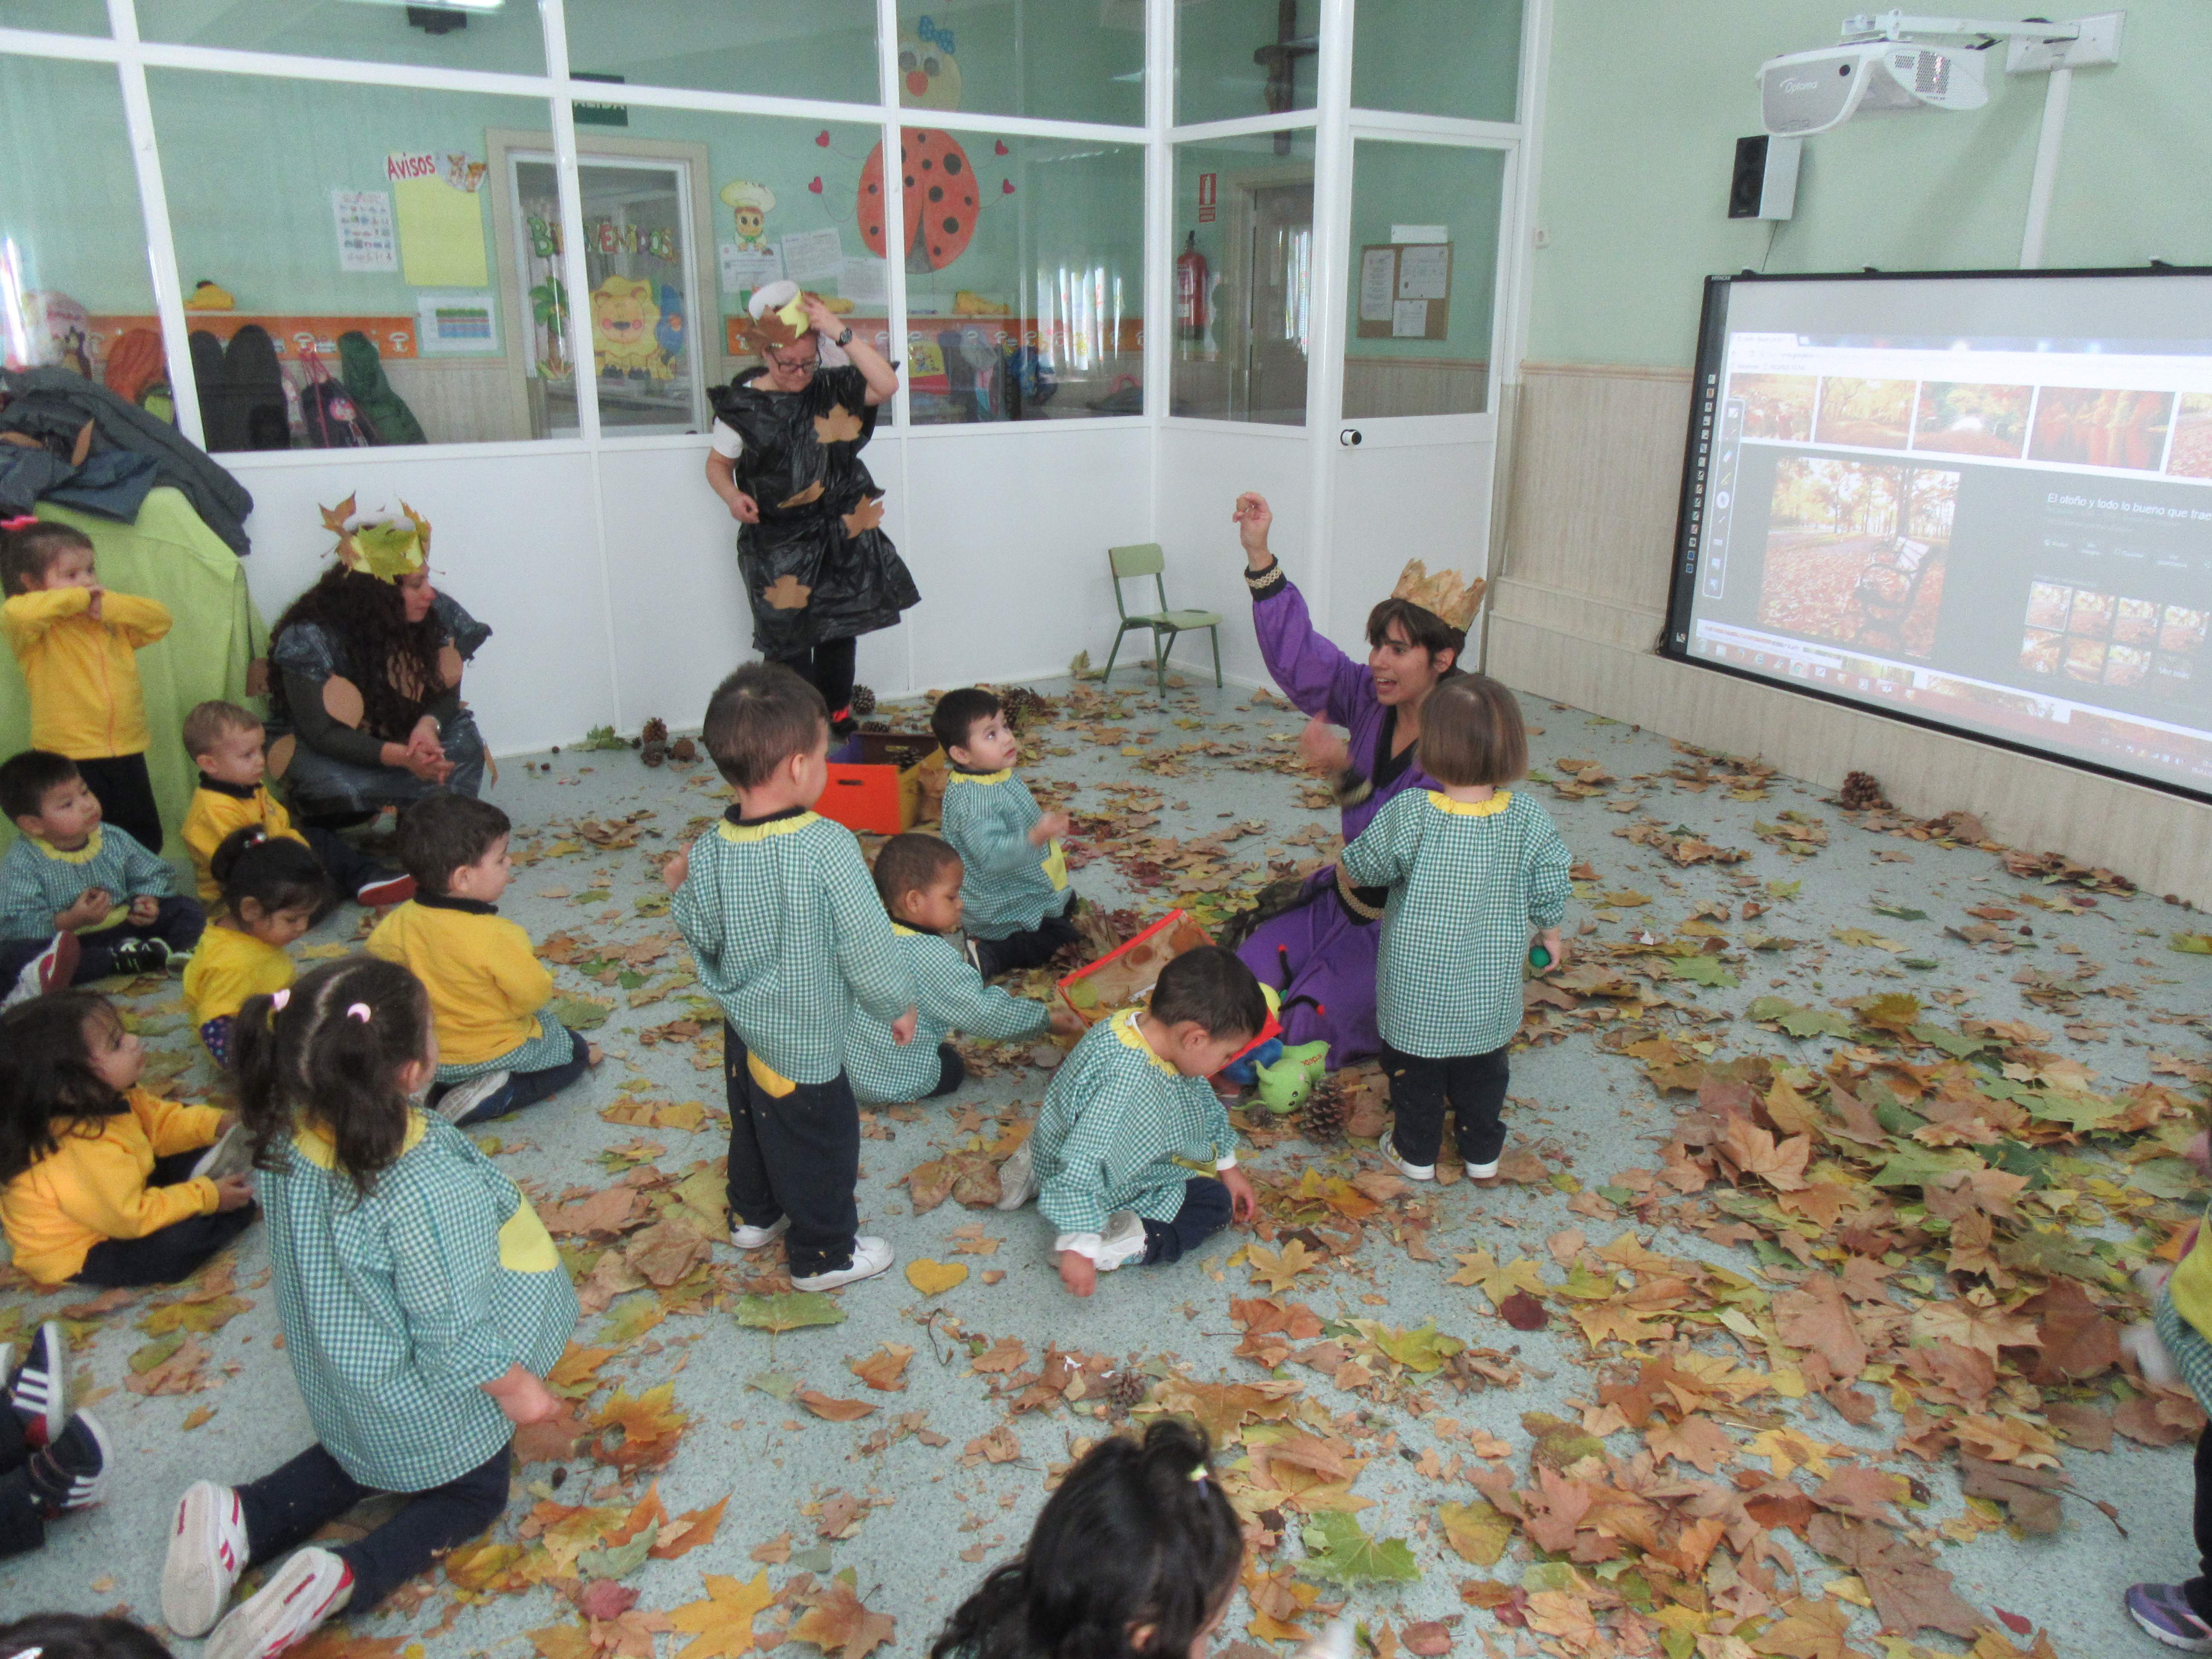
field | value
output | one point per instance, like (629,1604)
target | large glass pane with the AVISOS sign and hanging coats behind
(337,255)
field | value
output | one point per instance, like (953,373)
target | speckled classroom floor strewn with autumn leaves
(775,1457)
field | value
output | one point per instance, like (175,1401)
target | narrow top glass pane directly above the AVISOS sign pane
(448,34)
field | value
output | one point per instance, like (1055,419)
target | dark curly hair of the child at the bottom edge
(1138,1541)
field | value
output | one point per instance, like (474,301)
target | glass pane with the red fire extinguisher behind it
(1244,278)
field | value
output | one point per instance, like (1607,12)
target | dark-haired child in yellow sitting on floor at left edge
(98,1173)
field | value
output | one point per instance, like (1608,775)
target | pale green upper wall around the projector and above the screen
(1645,107)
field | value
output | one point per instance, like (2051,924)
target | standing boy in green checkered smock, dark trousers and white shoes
(793,943)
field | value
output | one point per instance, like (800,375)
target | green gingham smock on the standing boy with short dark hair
(791,939)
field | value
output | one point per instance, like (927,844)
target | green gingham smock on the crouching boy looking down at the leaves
(1123,1131)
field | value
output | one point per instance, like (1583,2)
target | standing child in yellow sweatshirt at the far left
(79,649)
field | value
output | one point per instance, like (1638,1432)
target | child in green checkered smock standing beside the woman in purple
(1472,870)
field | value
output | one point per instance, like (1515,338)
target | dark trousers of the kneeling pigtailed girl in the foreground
(291,1503)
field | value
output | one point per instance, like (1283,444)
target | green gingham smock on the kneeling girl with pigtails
(399,1306)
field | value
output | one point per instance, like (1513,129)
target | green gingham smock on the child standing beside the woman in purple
(1468,884)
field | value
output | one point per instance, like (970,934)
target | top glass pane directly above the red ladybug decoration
(1072,61)
